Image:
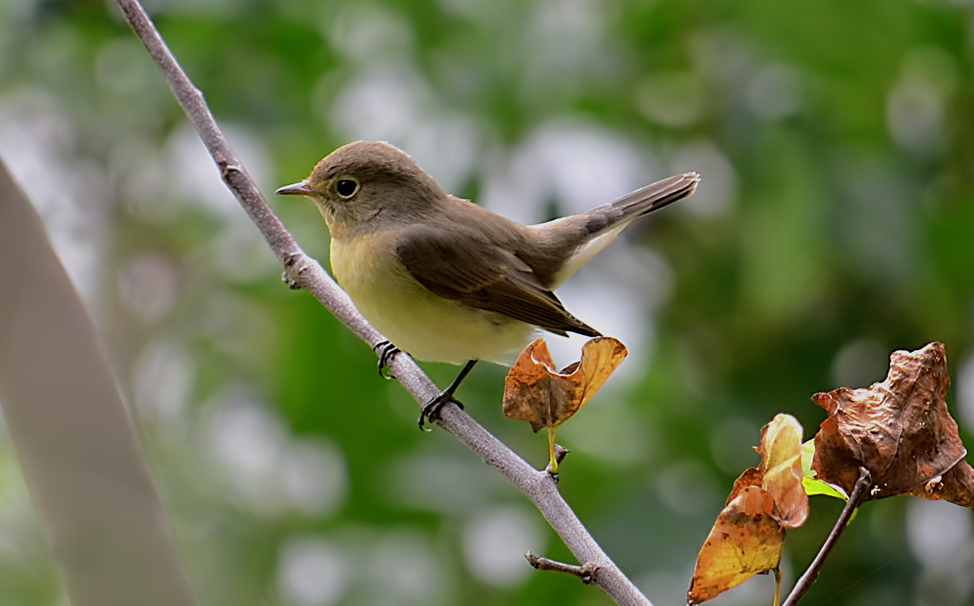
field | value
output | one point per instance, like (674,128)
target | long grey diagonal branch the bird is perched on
(304,271)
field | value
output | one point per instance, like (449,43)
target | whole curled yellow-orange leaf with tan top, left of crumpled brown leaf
(749,533)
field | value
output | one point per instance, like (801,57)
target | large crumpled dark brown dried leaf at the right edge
(899,429)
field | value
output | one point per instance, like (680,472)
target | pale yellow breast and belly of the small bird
(425,325)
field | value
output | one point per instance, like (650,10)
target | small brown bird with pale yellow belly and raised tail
(444,279)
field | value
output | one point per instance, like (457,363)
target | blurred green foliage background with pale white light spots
(834,224)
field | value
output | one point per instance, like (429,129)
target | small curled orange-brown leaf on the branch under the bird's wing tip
(535,392)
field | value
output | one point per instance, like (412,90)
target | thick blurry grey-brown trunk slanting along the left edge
(100,512)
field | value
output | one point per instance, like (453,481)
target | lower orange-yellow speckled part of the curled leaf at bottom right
(744,541)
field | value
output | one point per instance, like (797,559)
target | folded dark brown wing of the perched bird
(465,265)
